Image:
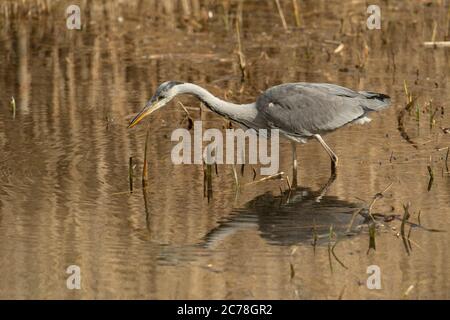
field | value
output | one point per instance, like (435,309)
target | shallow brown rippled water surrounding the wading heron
(64,158)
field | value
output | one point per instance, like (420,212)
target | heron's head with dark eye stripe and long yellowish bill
(165,92)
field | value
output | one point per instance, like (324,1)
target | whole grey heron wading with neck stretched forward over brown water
(300,111)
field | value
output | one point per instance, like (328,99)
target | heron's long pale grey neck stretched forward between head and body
(239,112)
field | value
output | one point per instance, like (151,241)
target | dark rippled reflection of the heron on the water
(294,217)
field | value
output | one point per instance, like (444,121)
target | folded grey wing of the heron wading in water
(304,109)
